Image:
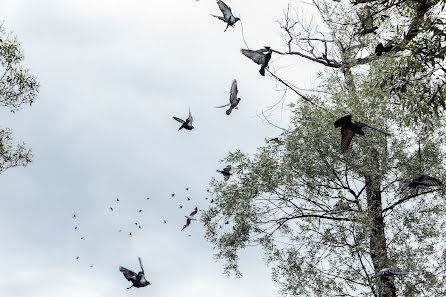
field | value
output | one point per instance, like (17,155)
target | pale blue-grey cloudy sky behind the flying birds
(112,75)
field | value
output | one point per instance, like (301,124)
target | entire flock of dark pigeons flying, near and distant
(349,129)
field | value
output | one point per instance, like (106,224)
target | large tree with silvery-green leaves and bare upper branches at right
(328,220)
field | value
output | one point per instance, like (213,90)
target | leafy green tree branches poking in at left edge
(17,88)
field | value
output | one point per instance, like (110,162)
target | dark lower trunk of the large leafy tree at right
(378,247)
